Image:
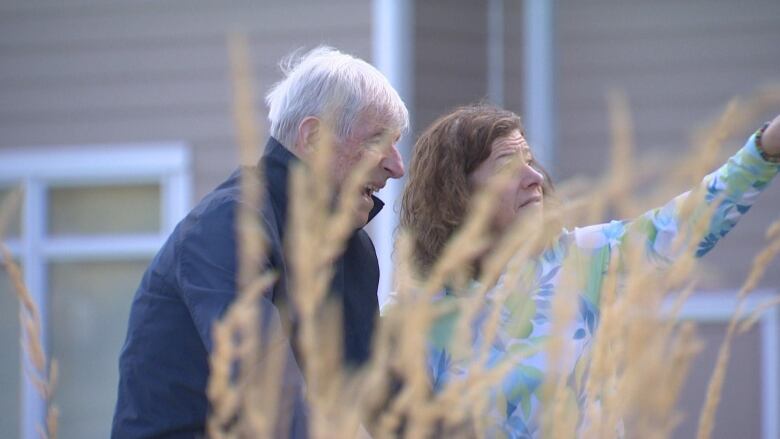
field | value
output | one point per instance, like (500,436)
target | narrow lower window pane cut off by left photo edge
(10,374)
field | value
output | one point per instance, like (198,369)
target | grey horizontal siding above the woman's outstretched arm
(679,63)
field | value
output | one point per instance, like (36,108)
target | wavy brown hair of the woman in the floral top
(437,193)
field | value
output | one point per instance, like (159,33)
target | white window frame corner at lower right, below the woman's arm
(719,307)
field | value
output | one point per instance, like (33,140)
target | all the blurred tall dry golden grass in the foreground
(638,343)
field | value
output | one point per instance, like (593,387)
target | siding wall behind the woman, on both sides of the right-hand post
(679,64)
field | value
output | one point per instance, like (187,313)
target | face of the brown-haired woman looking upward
(522,197)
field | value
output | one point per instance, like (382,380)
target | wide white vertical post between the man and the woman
(393,55)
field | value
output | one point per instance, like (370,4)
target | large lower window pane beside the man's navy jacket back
(89,307)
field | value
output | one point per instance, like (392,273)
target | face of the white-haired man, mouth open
(374,142)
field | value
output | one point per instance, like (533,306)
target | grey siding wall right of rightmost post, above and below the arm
(679,64)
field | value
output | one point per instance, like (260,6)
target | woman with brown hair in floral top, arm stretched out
(458,154)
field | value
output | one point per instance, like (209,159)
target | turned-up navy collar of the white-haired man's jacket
(276,162)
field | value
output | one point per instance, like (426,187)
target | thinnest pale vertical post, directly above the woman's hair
(495,52)
